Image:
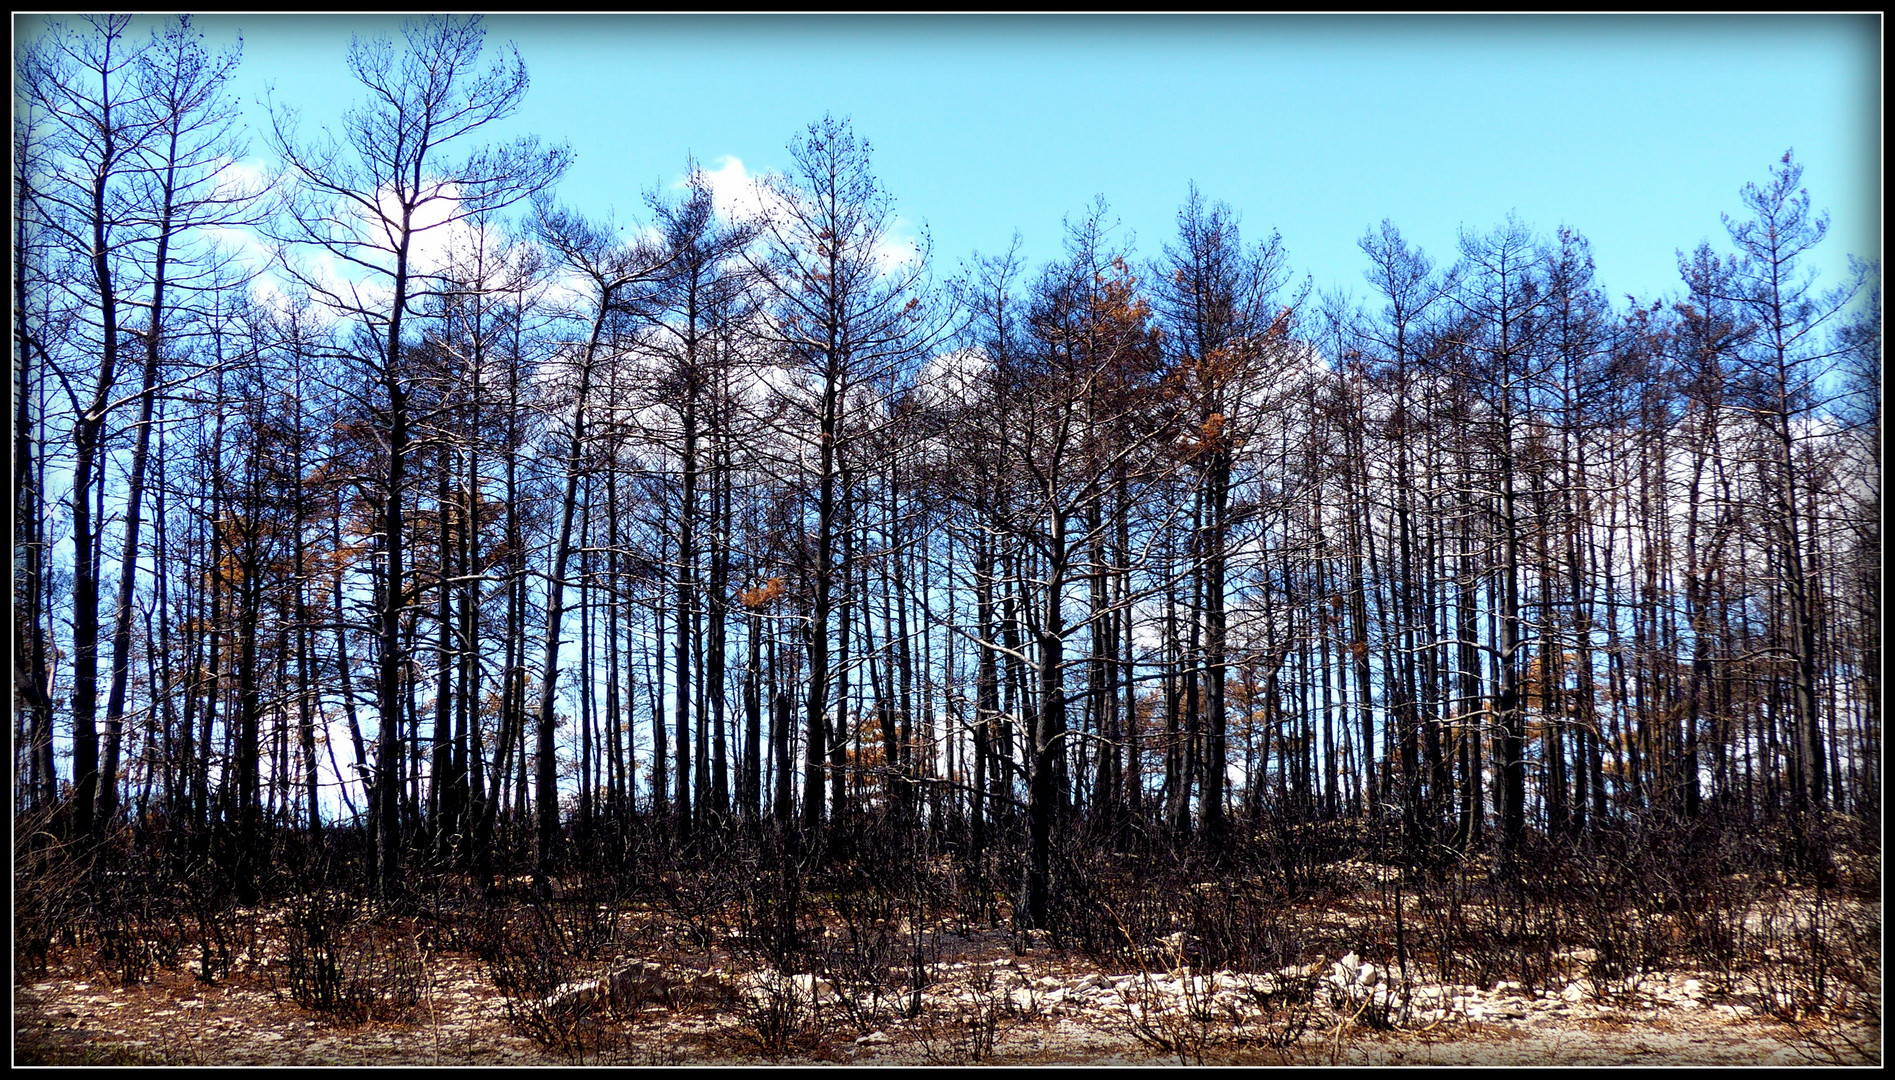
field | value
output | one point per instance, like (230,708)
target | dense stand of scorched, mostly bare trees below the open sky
(478,531)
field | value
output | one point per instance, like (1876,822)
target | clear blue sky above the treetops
(1638,132)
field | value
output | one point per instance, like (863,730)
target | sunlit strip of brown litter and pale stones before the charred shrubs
(988,1003)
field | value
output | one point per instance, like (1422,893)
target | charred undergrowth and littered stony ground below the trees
(1314,950)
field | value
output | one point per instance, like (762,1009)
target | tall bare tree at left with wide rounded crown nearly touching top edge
(365,206)
